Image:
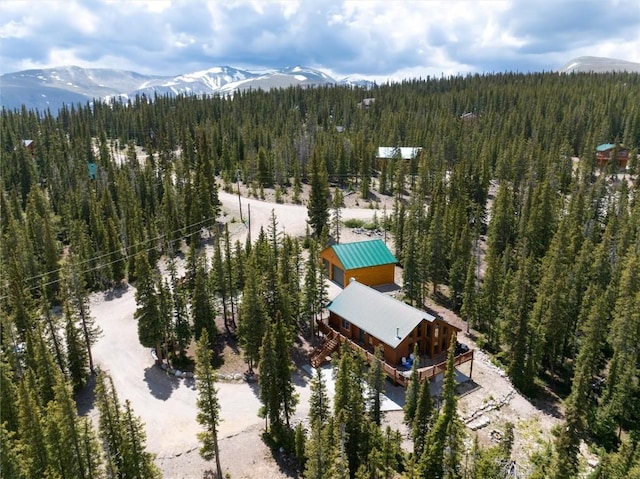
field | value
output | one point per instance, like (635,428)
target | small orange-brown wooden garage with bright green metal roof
(369,262)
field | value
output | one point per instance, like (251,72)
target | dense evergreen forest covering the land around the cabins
(504,216)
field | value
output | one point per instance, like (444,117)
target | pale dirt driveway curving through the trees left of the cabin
(167,404)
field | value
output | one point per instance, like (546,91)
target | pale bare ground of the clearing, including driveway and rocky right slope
(167,404)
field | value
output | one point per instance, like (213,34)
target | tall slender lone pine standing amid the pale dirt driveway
(207,402)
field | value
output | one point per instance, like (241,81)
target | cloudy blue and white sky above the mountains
(380,40)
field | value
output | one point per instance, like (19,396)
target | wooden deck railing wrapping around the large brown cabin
(335,338)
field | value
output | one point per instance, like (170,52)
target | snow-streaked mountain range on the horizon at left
(53,87)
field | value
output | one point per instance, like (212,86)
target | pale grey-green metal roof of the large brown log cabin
(380,315)
